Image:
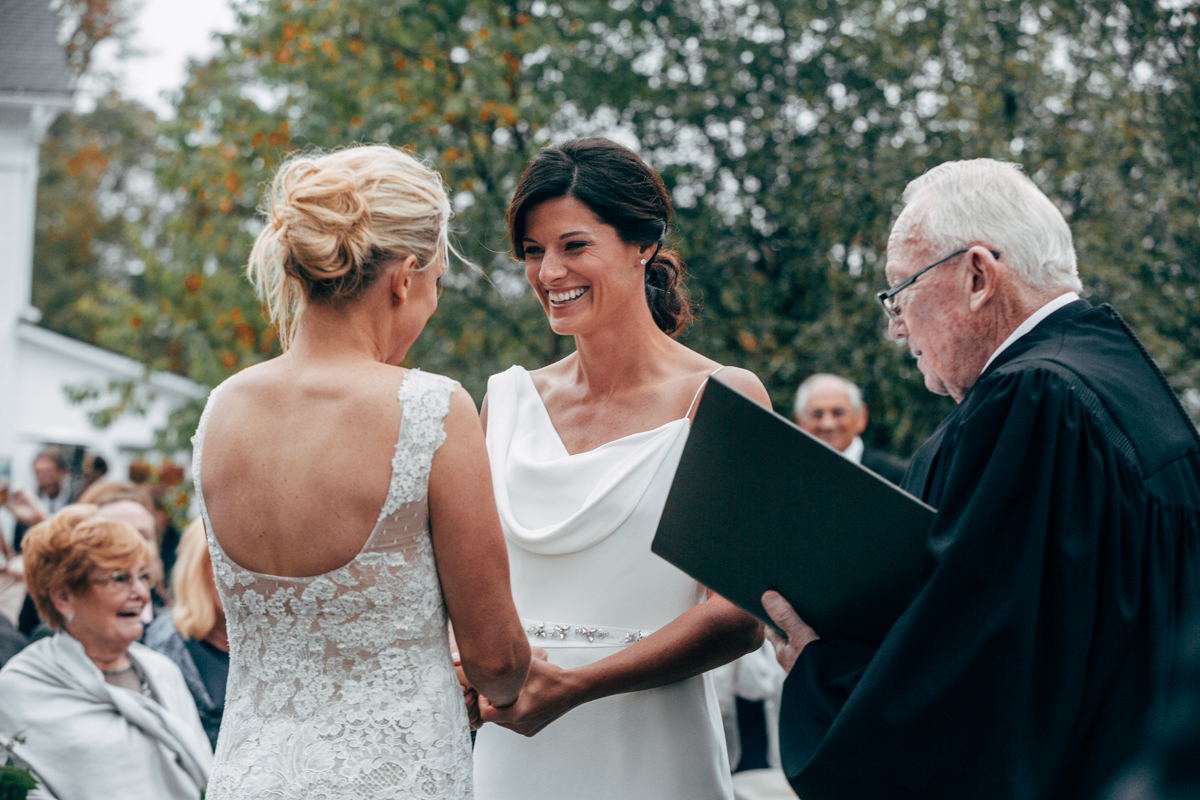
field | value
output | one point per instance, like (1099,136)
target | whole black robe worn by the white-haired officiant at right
(1066,546)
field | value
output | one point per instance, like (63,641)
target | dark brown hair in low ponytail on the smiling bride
(625,194)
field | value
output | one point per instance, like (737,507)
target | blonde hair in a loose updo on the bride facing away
(334,221)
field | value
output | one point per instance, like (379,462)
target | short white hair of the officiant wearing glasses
(994,203)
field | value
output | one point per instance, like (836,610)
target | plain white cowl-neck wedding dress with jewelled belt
(586,585)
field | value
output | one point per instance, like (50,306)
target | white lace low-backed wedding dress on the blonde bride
(341,685)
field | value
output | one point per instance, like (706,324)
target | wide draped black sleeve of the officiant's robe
(983,687)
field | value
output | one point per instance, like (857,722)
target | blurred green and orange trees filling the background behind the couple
(785,131)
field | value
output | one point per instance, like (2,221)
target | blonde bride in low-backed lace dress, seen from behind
(349,506)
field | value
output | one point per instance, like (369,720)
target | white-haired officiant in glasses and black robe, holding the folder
(1067,540)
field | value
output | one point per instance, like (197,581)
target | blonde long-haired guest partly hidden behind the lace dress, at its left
(193,634)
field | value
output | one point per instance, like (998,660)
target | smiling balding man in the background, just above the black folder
(832,410)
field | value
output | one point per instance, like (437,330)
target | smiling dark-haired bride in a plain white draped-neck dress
(583,454)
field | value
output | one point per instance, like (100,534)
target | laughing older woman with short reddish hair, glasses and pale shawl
(101,717)
